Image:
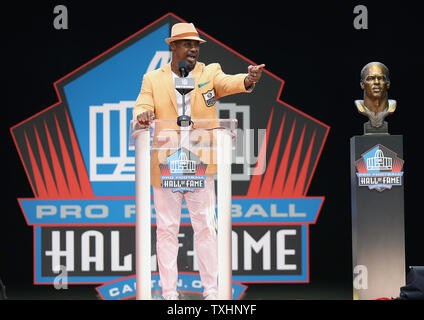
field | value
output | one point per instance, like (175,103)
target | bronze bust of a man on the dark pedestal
(376,106)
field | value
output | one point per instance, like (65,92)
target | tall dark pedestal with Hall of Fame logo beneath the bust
(378,236)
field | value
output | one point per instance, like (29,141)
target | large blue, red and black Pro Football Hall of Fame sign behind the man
(81,169)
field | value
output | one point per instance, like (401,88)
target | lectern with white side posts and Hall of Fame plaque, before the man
(182,157)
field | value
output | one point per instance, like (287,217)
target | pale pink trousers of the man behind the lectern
(168,215)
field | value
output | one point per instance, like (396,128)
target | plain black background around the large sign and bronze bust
(312,46)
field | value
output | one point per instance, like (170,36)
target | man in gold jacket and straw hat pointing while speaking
(159,99)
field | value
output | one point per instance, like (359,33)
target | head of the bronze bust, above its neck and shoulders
(375,82)
